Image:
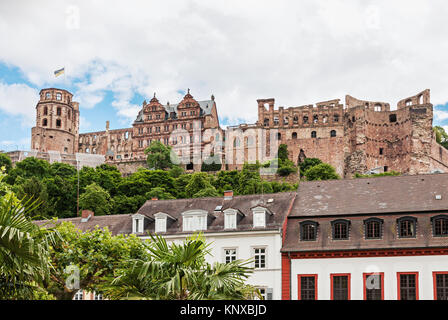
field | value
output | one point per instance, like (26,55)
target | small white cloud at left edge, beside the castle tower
(19,100)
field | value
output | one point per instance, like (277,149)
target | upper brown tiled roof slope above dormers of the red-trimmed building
(372,195)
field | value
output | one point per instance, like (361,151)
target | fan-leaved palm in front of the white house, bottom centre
(180,272)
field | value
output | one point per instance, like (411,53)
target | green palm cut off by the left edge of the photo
(24,255)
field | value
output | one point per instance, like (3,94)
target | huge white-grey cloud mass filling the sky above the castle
(297,52)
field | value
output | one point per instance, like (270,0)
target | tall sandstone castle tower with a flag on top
(57,122)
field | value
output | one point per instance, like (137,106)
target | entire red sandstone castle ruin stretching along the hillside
(360,137)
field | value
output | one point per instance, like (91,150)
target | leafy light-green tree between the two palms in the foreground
(96,254)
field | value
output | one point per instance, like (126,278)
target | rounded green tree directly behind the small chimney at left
(96,199)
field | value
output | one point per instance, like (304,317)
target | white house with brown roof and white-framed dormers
(238,227)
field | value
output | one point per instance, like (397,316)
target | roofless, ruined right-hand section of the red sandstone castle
(360,137)
